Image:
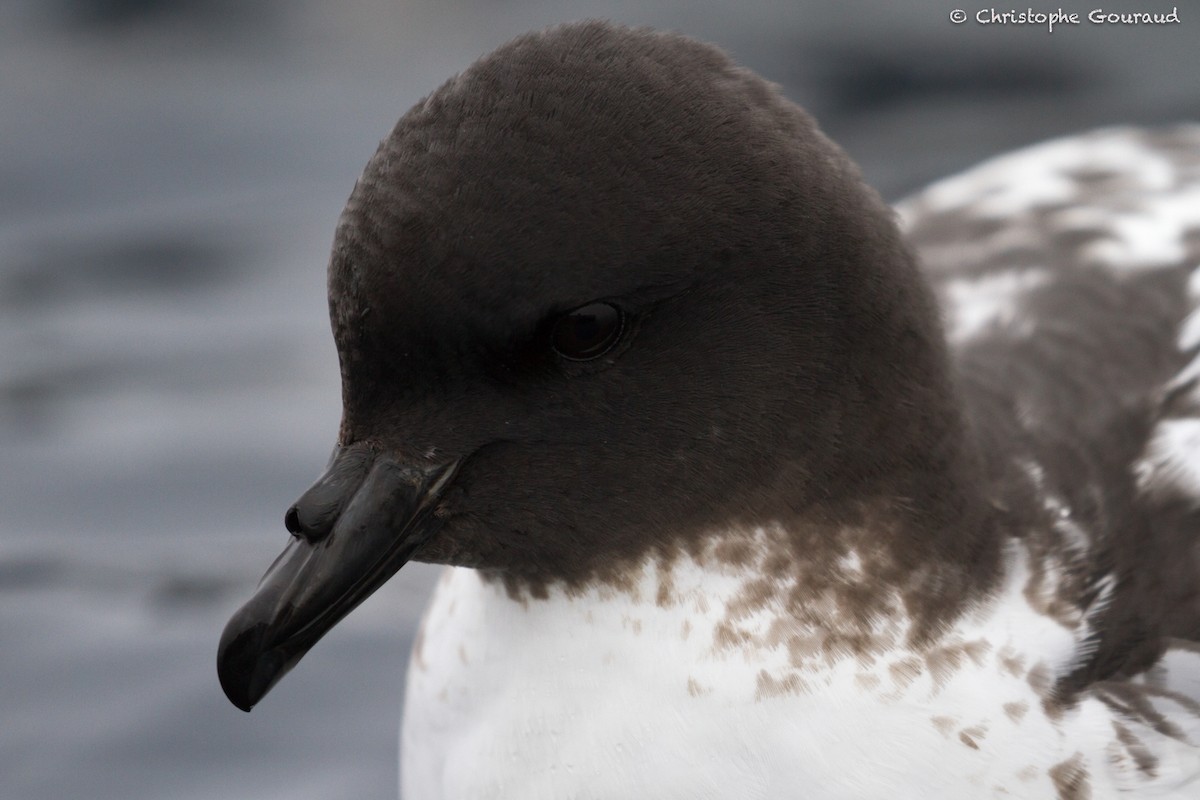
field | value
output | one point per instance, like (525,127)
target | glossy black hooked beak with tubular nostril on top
(358,525)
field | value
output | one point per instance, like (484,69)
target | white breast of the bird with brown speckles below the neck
(639,694)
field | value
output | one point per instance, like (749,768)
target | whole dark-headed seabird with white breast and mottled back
(751,486)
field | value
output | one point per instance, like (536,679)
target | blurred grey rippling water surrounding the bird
(171,172)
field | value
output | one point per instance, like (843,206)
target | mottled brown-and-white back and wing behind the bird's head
(1070,285)
